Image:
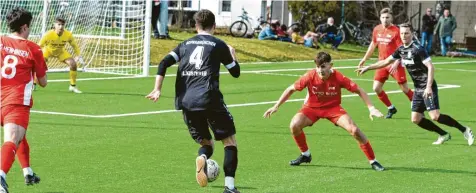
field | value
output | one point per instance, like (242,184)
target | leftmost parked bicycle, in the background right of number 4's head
(241,25)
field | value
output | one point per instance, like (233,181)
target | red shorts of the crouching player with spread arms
(331,113)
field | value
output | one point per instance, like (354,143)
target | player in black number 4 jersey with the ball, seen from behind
(198,95)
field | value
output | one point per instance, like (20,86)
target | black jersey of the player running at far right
(414,58)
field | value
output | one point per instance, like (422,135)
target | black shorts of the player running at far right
(421,104)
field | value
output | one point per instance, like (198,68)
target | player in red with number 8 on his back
(20,58)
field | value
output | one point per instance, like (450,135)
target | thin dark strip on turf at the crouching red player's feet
(405,169)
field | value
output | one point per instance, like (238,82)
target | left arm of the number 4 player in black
(168,61)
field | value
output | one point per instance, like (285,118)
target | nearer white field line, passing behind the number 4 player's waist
(442,86)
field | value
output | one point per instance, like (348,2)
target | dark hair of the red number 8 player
(18,17)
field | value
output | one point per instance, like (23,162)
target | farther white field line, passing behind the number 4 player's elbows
(261,71)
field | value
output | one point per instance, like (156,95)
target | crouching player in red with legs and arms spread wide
(324,101)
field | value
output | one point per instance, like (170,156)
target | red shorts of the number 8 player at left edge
(17,114)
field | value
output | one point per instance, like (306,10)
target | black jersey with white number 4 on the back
(197,82)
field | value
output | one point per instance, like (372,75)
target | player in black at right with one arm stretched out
(419,66)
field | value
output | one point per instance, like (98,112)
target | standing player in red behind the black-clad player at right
(386,37)
